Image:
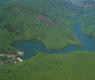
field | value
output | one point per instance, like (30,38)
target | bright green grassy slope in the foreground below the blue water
(73,66)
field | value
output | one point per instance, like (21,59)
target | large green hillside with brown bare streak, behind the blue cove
(48,21)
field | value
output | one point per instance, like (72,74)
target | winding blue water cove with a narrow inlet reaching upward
(32,47)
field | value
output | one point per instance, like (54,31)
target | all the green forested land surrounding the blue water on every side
(51,23)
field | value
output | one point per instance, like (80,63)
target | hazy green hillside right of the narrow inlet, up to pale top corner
(87,15)
